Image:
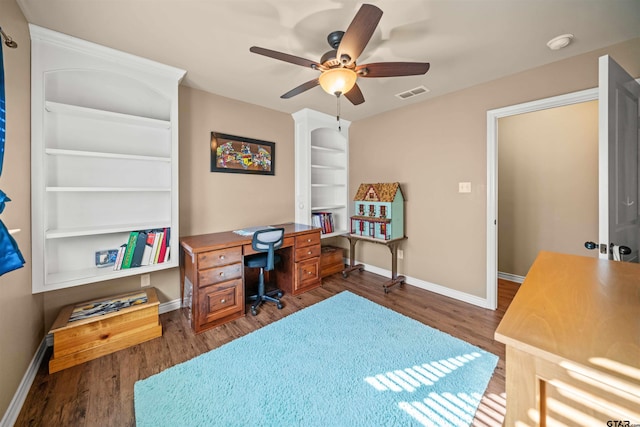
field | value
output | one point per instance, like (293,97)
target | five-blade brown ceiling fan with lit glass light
(338,68)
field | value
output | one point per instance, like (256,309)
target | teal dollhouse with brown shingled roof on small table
(379,211)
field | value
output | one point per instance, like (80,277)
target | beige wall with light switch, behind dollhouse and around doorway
(430,147)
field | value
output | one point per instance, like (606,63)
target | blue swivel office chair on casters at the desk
(266,242)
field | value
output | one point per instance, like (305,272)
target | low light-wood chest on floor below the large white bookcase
(85,339)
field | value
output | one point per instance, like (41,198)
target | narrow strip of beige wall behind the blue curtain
(21,320)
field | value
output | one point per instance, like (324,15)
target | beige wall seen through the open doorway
(547,184)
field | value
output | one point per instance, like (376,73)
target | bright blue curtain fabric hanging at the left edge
(10,256)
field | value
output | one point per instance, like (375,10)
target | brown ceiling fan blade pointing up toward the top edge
(358,34)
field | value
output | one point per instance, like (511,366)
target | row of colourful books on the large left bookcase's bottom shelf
(144,247)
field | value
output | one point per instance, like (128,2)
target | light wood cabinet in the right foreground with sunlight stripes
(573,343)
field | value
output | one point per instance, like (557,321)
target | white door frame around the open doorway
(492,173)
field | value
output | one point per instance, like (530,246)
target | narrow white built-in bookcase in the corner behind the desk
(322,168)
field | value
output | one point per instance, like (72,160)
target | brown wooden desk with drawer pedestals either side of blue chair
(212,268)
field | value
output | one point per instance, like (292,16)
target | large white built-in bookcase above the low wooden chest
(104,156)
